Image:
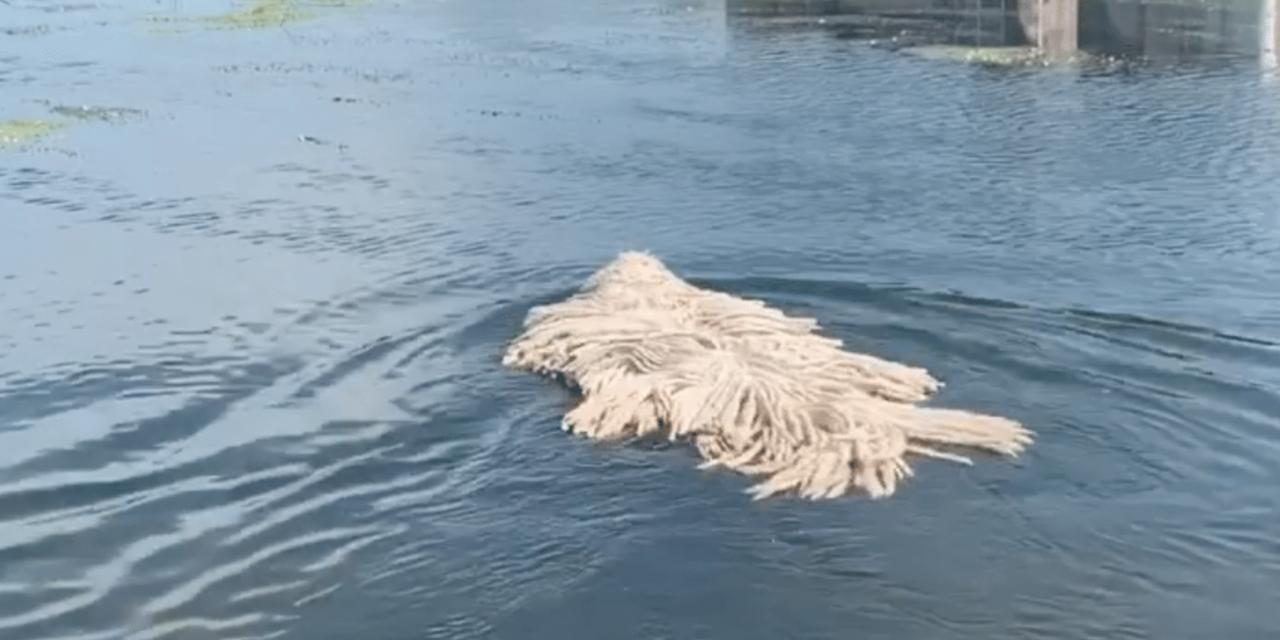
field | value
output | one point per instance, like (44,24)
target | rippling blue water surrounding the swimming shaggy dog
(253,305)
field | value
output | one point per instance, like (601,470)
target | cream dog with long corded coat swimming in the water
(753,390)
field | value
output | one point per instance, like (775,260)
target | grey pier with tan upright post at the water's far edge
(1150,29)
